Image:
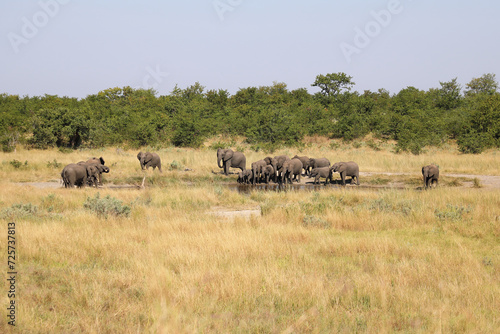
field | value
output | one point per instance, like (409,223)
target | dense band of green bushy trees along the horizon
(267,116)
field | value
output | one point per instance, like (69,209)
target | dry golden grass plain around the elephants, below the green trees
(383,257)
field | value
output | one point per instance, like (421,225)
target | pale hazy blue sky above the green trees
(80,47)
